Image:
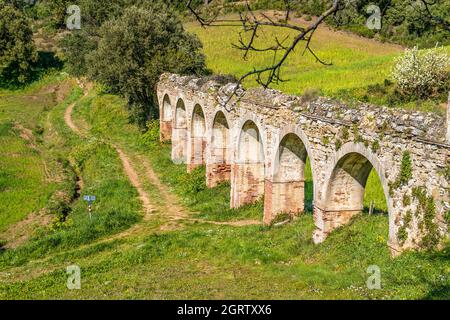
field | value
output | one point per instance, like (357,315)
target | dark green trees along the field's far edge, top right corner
(403,21)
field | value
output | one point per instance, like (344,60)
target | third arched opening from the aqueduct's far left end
(198,138)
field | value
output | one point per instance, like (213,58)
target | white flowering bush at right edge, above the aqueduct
(422,72)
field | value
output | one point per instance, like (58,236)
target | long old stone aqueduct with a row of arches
(261,146)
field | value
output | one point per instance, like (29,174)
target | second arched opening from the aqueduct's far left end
(179,138)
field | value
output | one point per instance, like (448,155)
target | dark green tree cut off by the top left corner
(17,50)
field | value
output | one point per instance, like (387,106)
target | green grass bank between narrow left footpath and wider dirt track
(117,206)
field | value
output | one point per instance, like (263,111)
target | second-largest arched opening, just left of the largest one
(285,193)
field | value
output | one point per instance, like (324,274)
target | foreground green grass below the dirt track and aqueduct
(210,262)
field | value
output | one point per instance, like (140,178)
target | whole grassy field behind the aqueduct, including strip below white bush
(359,67)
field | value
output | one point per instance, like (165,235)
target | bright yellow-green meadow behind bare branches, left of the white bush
(356,61)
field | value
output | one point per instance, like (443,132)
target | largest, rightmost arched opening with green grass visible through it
(347,192)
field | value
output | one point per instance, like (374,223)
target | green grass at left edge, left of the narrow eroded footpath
(24,183)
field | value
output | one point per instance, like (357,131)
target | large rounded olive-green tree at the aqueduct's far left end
(136,48)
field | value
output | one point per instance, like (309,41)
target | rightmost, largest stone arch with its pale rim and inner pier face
(345,184)
